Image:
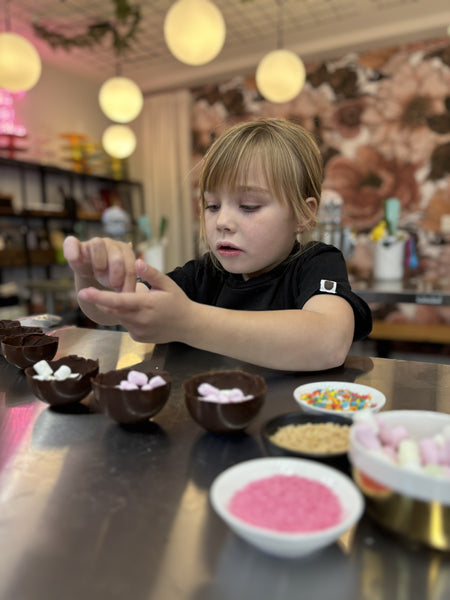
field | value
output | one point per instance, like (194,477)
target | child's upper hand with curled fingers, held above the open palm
(108,262)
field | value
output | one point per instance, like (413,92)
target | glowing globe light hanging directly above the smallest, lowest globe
(120,99)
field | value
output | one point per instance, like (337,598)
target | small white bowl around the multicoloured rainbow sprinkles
(377,398)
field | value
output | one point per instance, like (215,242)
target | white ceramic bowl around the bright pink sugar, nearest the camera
(280,543)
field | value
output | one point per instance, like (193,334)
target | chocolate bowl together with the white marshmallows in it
(62,381)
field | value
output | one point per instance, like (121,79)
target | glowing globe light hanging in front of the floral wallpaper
(280,76)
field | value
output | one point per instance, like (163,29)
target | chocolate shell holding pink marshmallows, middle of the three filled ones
(129,406)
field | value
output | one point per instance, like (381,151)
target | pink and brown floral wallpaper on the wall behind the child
(382,122)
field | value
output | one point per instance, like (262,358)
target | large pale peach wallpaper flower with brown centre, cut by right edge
(397,117)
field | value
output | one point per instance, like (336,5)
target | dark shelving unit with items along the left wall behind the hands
(46,198)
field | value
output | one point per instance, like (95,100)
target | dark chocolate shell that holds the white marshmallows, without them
(59,392)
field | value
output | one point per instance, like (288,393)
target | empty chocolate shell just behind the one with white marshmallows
(26,349)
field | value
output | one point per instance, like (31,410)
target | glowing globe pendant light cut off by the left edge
(20,63)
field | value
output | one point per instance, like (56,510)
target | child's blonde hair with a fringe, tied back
(289,156)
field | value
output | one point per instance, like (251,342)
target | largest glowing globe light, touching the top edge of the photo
(194,31)
